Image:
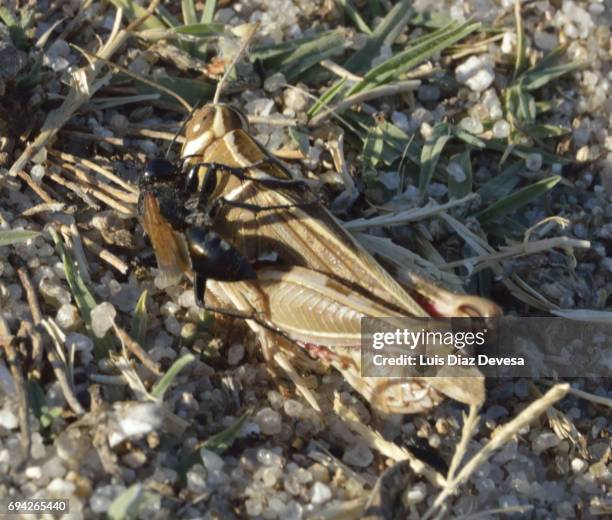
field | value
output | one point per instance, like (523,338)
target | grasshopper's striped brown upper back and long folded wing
(305,235)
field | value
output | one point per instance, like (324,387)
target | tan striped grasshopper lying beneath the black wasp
(322,281)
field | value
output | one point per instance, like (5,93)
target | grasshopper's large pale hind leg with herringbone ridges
(319,313)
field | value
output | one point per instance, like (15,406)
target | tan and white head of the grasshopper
(209,123)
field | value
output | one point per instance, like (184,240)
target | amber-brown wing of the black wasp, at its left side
(169,246)
